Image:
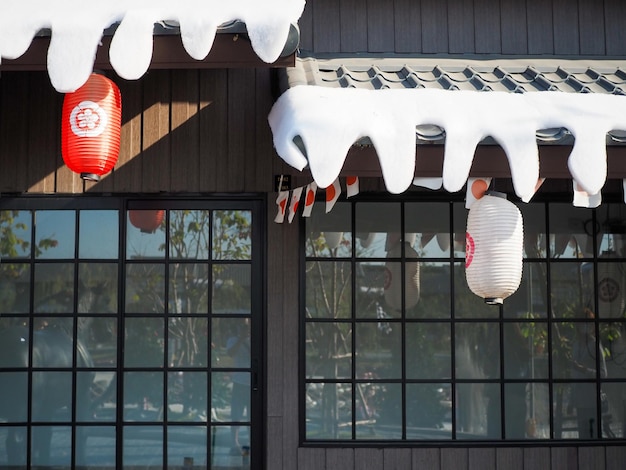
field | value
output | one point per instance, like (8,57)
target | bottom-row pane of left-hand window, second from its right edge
(187,447)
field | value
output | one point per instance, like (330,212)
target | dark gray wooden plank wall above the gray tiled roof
(509,27)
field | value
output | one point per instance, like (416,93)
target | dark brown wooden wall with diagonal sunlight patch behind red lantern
(183,131)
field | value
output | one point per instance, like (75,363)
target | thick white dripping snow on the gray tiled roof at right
(326,122)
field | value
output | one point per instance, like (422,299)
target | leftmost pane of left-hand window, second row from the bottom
(13,393)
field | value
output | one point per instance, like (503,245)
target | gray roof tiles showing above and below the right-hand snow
(521,75)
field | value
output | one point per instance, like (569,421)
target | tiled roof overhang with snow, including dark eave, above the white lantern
(453,118)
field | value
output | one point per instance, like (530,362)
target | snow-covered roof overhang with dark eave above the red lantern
(71,38)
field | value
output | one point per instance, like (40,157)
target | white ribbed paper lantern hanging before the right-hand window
(494,248)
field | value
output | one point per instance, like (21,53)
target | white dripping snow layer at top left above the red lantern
(77,28)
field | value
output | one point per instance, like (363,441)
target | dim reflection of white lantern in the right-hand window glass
(393,278)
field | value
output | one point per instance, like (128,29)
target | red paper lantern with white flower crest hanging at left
(91,128)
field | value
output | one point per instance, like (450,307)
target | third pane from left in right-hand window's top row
(429,224)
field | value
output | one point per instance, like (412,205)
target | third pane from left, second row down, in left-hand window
(97,288)
